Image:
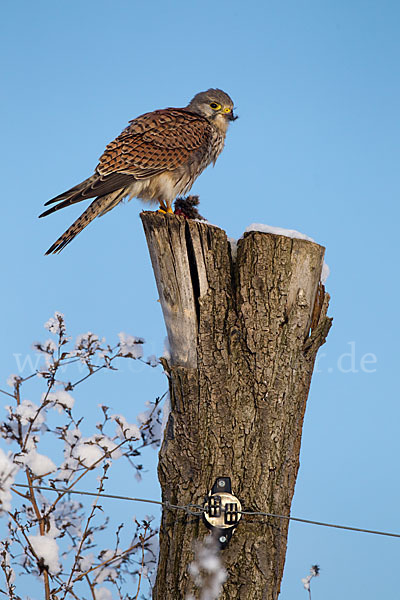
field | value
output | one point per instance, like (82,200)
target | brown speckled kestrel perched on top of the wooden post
(156,158)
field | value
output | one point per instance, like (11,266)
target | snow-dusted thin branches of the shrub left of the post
(55,538)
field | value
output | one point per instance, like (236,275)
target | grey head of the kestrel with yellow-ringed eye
(214,105)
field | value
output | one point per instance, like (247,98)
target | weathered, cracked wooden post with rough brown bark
(244,333)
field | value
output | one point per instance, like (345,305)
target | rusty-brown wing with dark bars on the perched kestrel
(156,142)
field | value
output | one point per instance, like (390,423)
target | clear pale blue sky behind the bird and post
(316,148)
